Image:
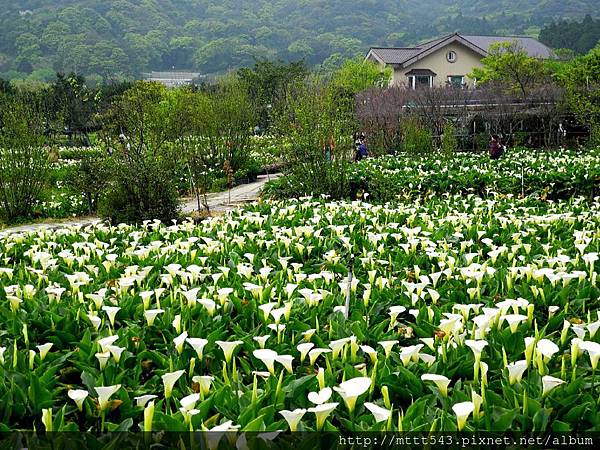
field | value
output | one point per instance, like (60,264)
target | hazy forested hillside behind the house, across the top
(125,37)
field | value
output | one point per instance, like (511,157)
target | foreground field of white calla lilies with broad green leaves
(464,313)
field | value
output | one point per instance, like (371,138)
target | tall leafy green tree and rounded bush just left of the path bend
(143,172)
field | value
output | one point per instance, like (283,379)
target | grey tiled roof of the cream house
(479,44)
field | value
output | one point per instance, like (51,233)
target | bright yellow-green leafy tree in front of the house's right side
(509,65)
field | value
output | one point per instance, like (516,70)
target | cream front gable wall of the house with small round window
(466,60)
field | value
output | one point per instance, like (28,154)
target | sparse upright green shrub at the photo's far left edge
(23,160)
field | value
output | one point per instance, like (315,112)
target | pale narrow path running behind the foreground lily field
(217,202)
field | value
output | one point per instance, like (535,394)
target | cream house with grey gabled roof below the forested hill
(446,60)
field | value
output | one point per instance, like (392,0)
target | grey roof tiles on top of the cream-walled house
(400,55)
